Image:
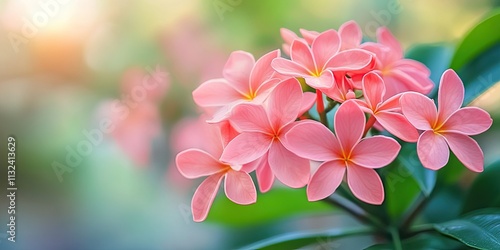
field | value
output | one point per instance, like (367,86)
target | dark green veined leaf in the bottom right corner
(479,229)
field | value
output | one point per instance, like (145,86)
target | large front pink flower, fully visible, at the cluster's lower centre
(346,152)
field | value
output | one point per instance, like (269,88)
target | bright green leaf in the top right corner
(478,40)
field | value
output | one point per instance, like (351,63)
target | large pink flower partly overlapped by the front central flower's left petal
(262,134)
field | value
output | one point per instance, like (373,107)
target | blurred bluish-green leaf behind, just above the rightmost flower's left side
(436,57)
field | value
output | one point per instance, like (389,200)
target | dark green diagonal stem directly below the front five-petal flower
(354,210)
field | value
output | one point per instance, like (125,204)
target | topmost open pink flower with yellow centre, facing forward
(316,63)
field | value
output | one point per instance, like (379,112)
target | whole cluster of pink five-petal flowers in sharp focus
(261,118)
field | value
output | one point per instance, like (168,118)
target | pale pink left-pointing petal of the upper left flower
(216,92)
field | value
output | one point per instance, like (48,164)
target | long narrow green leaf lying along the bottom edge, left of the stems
(299,239)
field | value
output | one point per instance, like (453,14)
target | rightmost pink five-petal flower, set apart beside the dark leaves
(447,126)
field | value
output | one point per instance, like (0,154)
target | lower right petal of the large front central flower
(365,184)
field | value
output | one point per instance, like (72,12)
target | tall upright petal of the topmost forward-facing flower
(324,47)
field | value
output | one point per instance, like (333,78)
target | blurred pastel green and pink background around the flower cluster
(65,65)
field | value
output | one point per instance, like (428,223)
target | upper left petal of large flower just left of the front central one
(247,117)
